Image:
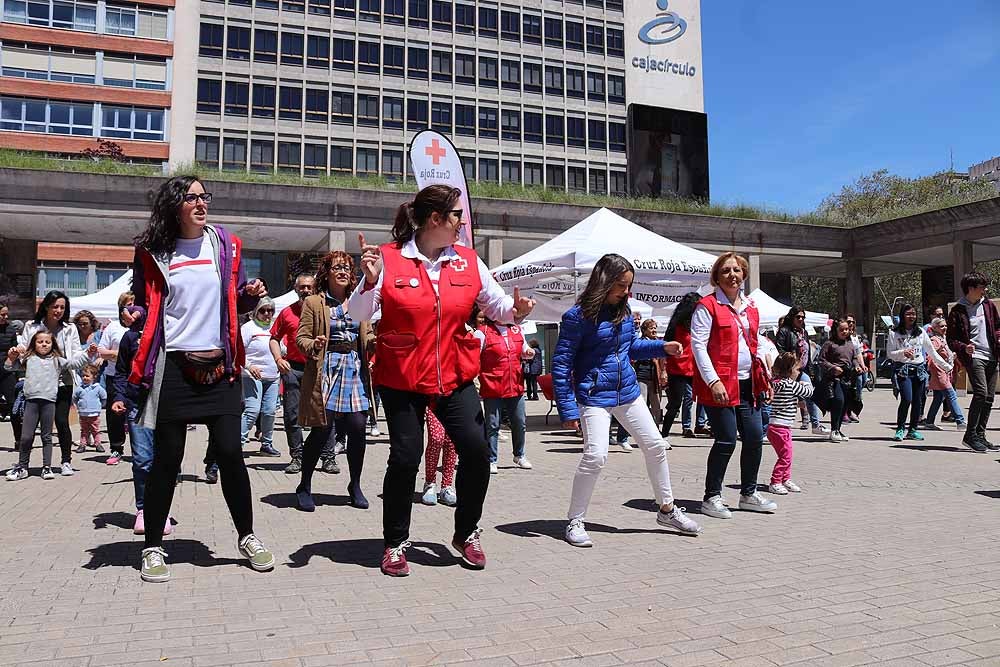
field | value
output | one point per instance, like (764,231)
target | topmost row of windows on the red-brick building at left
(109,19)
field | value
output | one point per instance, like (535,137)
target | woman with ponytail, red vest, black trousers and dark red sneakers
(426,286)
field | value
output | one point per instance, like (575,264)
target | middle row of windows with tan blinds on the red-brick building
(45,63)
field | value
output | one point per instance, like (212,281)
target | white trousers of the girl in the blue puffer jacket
(596,426)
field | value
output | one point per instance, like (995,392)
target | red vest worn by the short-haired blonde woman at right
(724,350)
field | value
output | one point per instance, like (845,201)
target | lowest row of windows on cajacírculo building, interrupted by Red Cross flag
(263,156)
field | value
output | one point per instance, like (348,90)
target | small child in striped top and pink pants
(787,393)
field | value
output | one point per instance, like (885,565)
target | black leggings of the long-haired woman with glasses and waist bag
(168,453)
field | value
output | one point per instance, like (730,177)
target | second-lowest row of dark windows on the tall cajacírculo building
(486,121)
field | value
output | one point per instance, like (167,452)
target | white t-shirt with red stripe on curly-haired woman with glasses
(193,315)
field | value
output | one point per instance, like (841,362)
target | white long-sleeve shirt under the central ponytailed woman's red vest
(496,304)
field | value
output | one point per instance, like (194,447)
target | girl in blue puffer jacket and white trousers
(593,380)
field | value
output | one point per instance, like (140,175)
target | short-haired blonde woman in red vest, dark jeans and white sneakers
(729,380)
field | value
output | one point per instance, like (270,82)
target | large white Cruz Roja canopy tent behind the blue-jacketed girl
(555,272)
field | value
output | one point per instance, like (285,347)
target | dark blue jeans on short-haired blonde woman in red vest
(724,422)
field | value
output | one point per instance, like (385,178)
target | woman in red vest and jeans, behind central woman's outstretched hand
(501,384)
